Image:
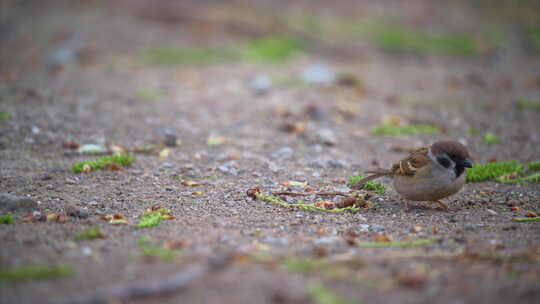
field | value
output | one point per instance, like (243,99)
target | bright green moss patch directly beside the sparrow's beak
(491,171)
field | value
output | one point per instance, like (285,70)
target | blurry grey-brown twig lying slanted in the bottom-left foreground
(175,282)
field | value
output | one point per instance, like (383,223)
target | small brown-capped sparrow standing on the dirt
(428,173)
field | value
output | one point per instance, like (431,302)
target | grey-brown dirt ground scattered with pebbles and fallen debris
(76,71)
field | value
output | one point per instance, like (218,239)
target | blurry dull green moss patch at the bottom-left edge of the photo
(35,272)
